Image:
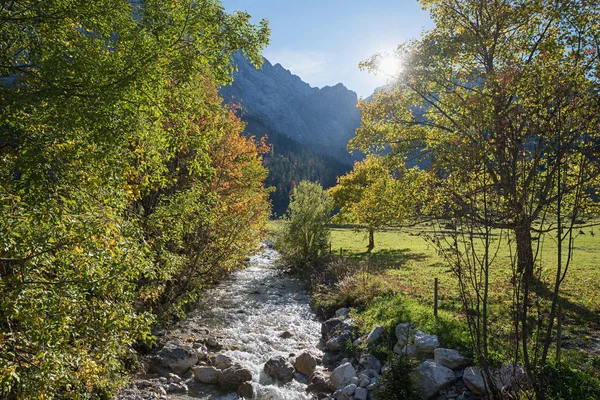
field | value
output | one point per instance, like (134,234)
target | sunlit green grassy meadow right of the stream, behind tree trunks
(396,283)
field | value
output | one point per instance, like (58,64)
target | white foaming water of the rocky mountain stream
(248,313)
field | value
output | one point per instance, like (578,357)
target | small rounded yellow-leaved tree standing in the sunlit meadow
(369,195)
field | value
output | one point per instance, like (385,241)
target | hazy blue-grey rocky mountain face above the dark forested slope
(277,101)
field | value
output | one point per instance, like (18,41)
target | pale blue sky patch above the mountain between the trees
(322,41)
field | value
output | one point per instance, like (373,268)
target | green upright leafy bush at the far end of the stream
(305,238)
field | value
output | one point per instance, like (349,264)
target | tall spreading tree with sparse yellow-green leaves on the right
(502,98)
